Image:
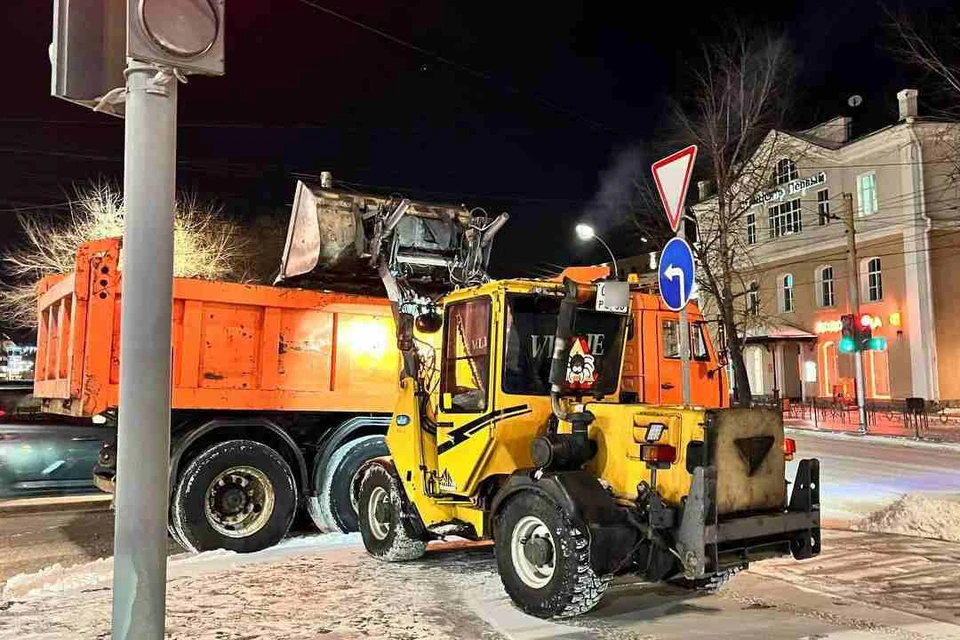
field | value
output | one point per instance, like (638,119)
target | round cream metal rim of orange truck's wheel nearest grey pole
(239,502)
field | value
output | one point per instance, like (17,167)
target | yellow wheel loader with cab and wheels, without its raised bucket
(509,428)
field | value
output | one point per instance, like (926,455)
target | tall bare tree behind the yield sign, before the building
(738,101)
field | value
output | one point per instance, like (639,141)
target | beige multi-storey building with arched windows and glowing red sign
(901,183)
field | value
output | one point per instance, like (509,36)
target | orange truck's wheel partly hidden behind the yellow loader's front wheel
(333,509)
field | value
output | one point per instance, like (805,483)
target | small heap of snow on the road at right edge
(916,515)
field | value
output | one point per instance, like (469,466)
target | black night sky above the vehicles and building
(542,100)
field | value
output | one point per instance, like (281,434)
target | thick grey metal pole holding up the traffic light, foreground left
(143,440)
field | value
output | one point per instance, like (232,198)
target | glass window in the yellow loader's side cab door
(466,347)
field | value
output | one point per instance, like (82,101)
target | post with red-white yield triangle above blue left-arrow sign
(676,269)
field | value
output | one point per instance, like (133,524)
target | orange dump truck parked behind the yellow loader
(279,394)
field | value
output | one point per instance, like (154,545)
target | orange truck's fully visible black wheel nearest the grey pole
(238,495)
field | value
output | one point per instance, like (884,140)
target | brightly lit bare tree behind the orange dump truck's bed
(206,246)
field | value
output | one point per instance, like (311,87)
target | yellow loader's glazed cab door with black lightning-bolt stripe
(466,412)
